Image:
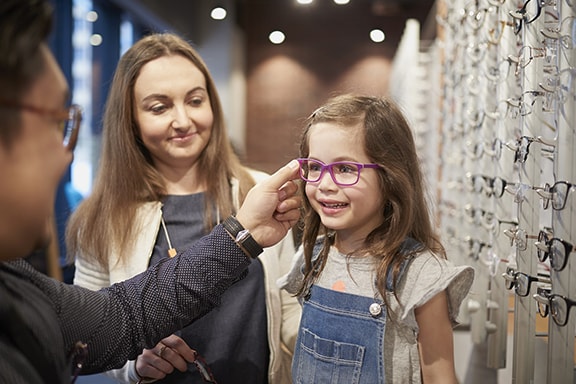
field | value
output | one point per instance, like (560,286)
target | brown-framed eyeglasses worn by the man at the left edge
(68,119)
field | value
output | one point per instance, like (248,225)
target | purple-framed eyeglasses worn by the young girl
(343,173)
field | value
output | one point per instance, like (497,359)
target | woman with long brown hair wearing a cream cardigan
(168,175)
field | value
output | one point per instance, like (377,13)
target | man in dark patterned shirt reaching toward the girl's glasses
(50,331)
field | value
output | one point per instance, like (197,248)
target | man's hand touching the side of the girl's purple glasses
(272,206)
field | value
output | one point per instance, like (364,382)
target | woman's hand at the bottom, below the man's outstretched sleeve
(170,353)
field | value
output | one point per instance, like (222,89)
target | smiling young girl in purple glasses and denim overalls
(379,297)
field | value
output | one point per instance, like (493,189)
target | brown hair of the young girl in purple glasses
(388,141)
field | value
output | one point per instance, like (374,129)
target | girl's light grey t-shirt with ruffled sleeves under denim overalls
(424,277)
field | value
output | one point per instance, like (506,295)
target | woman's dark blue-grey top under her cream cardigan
(232,337)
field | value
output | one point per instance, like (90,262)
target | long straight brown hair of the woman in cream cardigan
(127,178)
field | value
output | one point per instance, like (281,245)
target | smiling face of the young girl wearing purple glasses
(352,211)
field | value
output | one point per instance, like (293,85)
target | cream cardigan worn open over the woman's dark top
(282,309)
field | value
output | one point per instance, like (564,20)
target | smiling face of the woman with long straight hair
(173,112)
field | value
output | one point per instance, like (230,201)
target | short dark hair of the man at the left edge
(24,27)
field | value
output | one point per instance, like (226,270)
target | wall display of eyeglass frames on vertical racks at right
(507,173)
